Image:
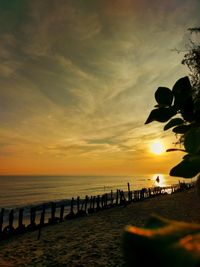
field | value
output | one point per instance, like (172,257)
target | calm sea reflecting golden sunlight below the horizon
(22,191)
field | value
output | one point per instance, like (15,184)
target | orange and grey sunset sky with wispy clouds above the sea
(77,82)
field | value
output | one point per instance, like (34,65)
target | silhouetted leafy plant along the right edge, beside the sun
(179,108)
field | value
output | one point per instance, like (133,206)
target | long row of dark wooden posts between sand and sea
(79,208)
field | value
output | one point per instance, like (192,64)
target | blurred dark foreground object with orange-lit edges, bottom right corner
(162,242)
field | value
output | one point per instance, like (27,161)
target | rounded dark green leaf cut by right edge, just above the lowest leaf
(192,141)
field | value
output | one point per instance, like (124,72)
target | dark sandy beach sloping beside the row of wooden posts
(94,240)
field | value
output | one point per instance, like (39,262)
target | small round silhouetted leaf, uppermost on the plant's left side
(164,96)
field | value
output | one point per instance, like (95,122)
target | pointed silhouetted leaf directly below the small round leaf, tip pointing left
(161,115)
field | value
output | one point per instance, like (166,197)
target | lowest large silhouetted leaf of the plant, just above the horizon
(187,168)
